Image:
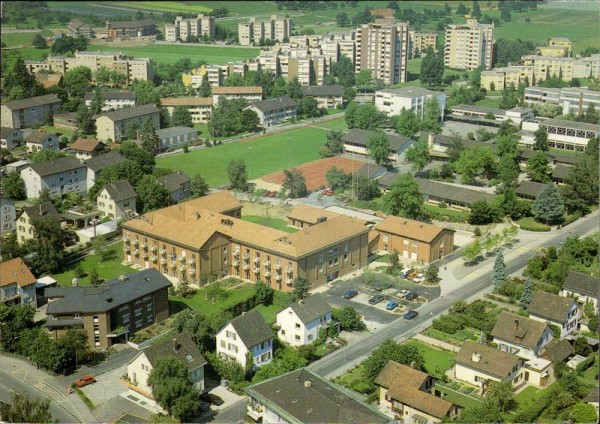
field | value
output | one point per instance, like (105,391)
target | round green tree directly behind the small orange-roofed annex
(405,198)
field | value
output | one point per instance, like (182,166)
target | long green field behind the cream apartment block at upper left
(168,53)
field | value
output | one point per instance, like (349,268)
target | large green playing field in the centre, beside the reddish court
(264,156)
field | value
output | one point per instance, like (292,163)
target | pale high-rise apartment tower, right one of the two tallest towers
(469,46)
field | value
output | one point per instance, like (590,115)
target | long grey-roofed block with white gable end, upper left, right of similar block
(114,125)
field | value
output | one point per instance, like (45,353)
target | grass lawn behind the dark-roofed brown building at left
(106,270)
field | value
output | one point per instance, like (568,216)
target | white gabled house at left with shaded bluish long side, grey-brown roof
(60,176)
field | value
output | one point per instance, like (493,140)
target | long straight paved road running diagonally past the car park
(465,283)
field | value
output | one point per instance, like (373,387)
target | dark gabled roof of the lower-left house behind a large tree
(181,346)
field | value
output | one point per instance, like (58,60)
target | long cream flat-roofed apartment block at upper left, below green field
(134,69)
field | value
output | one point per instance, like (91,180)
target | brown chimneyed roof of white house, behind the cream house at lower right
(518,330)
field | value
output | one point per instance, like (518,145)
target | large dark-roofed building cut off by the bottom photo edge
(301,396)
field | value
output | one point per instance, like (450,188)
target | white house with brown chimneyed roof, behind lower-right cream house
(524,337)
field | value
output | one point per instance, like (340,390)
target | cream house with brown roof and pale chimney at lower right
(481,365)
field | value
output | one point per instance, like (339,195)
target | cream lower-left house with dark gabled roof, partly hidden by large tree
(180,346)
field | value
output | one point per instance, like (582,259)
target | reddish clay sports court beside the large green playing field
(314,172)
